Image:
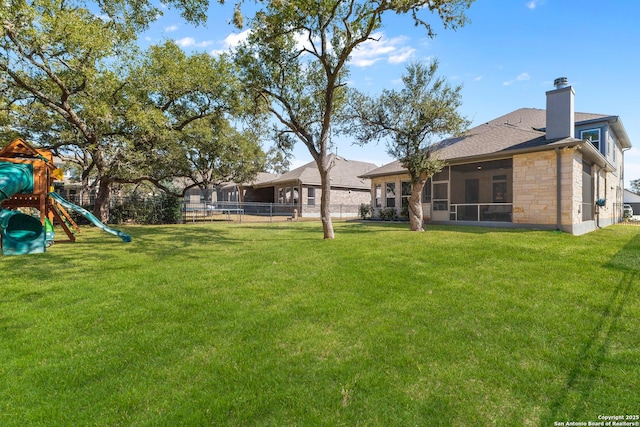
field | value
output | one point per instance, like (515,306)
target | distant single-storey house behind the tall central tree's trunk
(301,188)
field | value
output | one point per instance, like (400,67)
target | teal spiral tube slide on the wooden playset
(20,233)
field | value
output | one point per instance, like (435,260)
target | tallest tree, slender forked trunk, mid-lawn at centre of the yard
(296,64)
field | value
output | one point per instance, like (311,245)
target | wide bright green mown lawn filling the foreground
(268,324)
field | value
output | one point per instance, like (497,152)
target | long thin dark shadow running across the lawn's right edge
(572,402)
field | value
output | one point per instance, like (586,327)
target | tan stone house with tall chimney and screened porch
(552,168)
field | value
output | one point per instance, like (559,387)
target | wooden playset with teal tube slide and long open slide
(26,181)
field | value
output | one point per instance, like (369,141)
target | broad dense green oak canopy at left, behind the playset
(72,79)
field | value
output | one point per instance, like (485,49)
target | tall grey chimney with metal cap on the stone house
(560,114)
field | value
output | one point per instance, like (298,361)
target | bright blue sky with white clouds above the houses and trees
(506,58)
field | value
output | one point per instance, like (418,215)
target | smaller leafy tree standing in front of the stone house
(411,120)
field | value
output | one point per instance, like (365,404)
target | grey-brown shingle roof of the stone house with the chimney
(522,129)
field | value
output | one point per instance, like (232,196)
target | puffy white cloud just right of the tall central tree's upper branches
(393,50)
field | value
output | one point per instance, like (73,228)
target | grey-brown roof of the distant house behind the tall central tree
(344,174)
